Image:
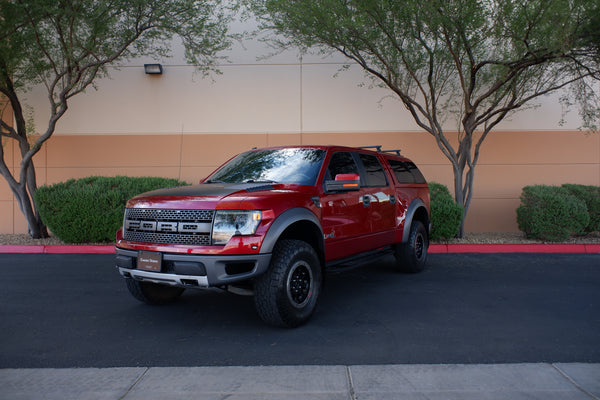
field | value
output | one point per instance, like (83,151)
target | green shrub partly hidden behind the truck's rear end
(446,215)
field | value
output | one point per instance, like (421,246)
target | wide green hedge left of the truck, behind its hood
(90,210)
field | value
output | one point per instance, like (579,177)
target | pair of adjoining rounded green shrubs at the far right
(554,213)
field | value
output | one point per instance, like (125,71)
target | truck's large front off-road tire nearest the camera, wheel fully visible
(286,295)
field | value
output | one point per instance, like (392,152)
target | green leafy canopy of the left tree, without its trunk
(75,39)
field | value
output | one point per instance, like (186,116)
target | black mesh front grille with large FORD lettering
(149,235)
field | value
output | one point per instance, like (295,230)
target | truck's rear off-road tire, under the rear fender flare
(412,255)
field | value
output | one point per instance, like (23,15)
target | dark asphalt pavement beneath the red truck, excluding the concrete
(73,310)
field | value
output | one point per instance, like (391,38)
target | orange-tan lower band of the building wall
(510,161)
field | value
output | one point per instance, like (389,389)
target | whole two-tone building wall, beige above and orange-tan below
(182,125)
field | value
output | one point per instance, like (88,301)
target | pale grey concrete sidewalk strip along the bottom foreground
(393,382)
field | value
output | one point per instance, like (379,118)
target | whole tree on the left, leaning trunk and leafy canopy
(67,45)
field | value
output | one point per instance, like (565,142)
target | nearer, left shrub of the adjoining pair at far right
(551,213)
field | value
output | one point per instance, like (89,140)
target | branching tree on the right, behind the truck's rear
(467,64)
